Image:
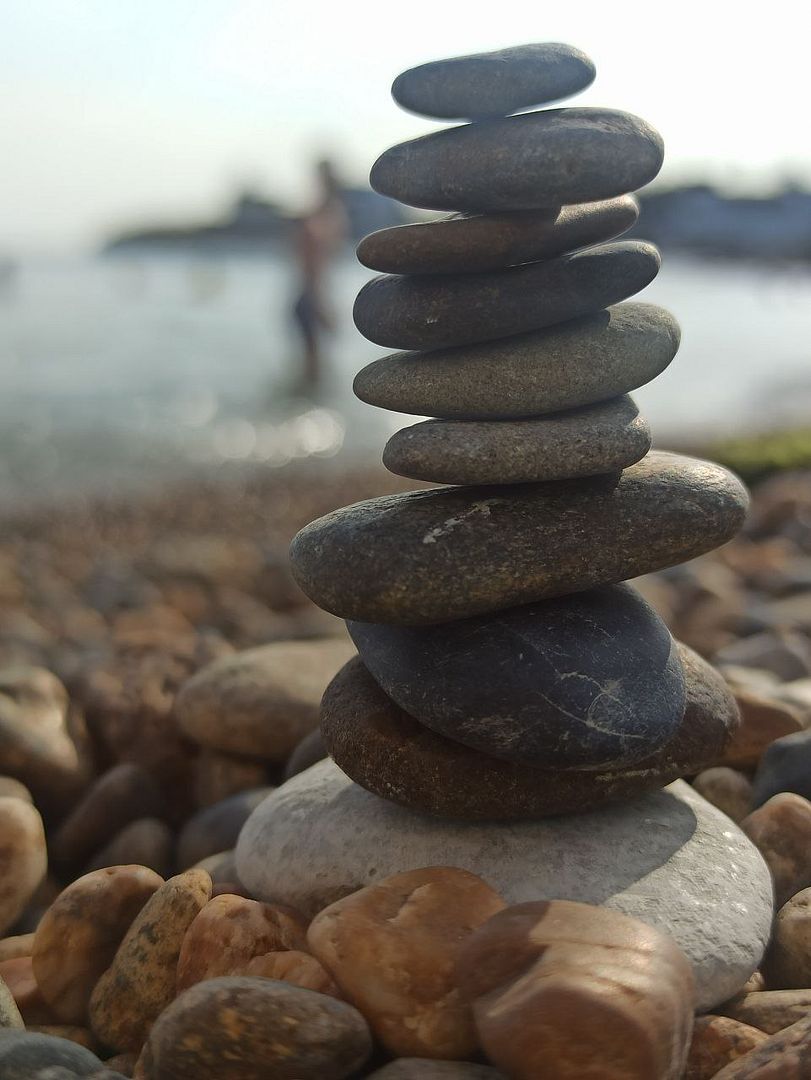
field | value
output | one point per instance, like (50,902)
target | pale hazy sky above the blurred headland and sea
(116,114)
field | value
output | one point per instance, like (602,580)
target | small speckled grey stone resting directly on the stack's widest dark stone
(598,439)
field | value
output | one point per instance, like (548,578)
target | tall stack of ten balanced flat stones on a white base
(507,676)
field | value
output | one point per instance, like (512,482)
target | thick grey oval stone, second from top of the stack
(539,159)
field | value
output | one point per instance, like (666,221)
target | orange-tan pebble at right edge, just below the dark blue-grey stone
(781,830)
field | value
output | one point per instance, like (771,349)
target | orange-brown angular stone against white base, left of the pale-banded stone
(391,948)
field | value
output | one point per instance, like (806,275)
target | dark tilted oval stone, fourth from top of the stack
(436,312)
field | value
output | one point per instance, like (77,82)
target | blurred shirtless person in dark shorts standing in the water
(319,237)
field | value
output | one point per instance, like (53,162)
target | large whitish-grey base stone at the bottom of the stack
(669,859)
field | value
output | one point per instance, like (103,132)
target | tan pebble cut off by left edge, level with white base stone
(23,858)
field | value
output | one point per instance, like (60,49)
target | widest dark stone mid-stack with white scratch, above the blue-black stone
(438,556)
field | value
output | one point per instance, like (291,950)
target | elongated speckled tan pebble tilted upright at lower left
(142,980)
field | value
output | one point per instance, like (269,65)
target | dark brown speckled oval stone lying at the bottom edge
(252,1029)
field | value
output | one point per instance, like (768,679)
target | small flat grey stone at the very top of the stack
(494,85)
